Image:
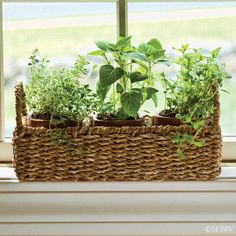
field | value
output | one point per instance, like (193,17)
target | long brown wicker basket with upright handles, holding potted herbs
(111,153)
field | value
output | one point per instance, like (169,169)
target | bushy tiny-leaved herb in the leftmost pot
(58,93)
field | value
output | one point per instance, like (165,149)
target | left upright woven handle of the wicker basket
(20,104)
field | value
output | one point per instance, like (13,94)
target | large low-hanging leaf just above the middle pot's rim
(131,102)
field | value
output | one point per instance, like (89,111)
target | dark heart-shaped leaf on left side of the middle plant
(109,75)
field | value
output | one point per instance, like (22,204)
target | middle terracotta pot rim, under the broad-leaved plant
(117,123)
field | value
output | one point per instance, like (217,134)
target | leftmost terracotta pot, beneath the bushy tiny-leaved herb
(30,122)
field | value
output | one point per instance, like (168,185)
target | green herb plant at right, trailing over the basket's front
(191,97)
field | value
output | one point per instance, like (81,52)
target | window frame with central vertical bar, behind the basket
(6,155)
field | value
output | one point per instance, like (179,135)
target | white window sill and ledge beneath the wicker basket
(118,208)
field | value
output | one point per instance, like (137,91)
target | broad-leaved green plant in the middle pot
(126,78)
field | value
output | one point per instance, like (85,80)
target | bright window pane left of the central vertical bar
(59,30)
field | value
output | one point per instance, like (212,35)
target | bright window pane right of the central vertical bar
(207,25)
